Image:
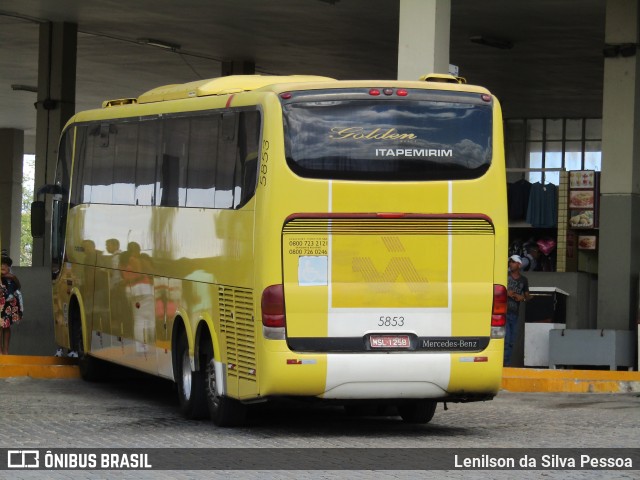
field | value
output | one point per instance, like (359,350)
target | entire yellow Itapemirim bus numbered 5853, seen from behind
(255,237)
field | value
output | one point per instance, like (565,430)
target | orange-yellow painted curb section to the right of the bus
(569,381)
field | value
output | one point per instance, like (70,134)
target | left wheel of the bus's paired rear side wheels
(191,394)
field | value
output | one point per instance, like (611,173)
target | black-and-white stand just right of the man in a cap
(546,311)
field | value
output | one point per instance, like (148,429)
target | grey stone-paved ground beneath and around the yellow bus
(141,412)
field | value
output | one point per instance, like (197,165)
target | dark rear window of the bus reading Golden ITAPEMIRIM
(388,140)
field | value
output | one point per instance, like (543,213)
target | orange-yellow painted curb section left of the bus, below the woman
(38,367)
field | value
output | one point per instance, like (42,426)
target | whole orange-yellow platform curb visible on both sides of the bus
(513,379)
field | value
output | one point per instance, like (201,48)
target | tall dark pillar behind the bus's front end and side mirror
(56,104)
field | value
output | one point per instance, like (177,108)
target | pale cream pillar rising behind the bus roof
(423,44)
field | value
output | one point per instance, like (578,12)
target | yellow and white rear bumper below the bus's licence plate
(383,375)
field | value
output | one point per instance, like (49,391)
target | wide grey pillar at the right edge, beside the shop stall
(619,242)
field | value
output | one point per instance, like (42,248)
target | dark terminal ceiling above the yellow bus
(554,68)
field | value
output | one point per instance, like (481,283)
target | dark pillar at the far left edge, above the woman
(11,156)
